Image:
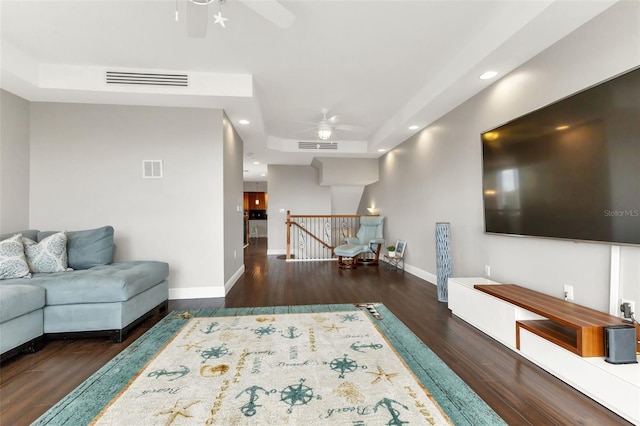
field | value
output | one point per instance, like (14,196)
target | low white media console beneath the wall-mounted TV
(617,387)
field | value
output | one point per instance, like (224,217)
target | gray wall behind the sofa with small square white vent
(86,171)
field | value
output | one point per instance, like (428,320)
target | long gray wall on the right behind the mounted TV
(436,175)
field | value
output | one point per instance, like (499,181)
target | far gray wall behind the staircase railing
(293,188)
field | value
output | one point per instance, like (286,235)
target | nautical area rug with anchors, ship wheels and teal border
(318,364)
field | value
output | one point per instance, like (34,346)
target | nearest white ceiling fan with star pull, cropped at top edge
(198,14)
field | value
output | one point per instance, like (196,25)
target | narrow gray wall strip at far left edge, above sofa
(14,163)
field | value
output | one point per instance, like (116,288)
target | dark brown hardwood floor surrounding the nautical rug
(516,389)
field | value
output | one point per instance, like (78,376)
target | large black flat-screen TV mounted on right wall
(570,170)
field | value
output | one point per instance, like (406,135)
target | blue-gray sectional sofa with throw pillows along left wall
(87,295)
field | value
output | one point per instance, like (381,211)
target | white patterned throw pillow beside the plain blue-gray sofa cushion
(49,255)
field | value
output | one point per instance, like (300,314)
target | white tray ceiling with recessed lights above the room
(381,65)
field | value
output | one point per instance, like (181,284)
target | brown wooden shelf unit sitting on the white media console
(573,327)
